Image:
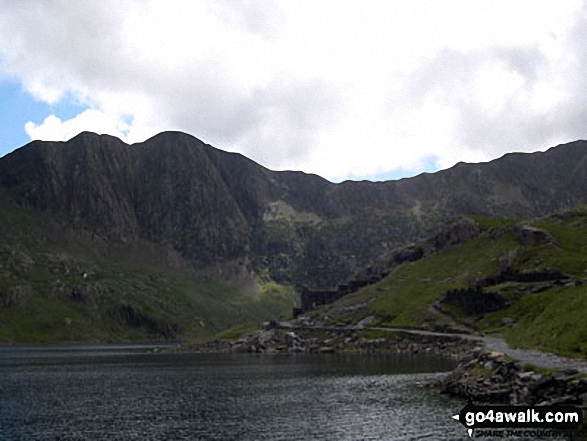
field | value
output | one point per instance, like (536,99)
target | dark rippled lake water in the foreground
(128,392)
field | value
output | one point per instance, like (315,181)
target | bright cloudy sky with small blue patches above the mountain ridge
(343,89)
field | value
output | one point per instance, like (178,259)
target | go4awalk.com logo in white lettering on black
(510,421)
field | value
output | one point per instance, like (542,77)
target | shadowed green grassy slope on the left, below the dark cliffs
(57,285)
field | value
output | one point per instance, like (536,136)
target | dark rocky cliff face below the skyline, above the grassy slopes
(212,206)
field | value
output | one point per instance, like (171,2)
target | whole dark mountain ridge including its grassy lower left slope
(145,233)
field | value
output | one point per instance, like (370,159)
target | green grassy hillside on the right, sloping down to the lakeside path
(549,316)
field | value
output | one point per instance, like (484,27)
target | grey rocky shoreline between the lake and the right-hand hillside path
(481,375)
